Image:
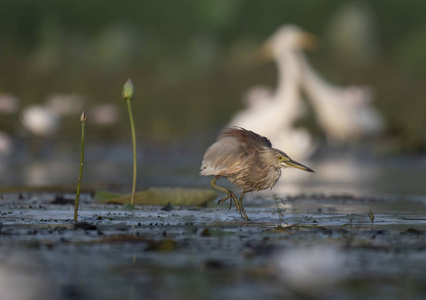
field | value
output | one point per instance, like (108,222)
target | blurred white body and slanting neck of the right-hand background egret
(344,113)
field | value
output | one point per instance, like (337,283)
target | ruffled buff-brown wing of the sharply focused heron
(231,152)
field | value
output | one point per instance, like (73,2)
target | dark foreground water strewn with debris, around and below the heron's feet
(302,246)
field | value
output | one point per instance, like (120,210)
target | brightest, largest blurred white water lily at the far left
(40,121)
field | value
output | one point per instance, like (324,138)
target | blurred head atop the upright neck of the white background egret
(286,38)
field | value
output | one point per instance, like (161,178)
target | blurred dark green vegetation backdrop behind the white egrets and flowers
(190,63)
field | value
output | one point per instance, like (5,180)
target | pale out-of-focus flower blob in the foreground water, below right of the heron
(311,270)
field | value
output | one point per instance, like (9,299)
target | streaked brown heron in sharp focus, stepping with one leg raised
(247,160)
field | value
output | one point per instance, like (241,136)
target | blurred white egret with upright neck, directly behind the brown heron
(274,114)
